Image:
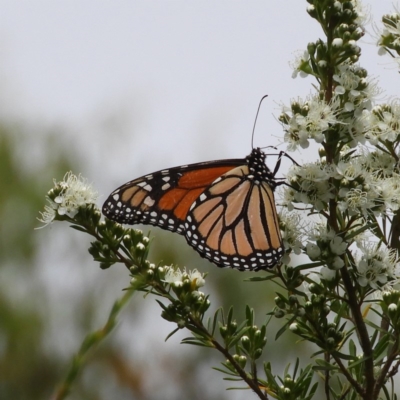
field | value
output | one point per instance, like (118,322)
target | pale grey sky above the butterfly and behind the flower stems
(178,79)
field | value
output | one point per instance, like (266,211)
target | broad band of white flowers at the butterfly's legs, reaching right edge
(360,184)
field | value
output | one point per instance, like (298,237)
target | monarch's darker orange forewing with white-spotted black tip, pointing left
(164,198)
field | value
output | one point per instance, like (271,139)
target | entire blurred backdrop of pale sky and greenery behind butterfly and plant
(114,90)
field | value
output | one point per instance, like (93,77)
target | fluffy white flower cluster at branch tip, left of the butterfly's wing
(67,197)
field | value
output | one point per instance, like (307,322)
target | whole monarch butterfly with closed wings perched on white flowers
(225,209)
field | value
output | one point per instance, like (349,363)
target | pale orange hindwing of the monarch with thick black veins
(234,222)
